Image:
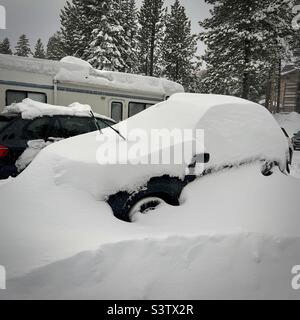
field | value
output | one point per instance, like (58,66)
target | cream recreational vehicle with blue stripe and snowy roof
(116,95)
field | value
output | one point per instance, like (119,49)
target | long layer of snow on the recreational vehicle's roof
(74,70)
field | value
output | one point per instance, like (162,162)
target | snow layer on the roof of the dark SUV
(30,109)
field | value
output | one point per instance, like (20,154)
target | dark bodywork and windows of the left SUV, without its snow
(15,133)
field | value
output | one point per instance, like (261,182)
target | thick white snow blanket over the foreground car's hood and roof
(235,131)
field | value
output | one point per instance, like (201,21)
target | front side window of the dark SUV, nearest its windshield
(73,126)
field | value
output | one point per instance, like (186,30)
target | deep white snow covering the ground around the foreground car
(235,235)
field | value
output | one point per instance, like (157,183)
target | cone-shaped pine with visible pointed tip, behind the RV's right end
(179,47)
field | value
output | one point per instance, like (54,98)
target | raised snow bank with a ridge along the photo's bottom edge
(237,266)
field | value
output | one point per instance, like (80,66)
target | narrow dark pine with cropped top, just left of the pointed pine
(151,19)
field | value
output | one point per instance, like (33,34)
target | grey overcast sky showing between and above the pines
(40,18)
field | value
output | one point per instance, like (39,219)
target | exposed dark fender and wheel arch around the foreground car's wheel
(166,188)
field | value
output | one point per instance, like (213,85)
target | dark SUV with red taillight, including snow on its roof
(29,126)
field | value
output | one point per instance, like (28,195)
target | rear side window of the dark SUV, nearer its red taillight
(37,129)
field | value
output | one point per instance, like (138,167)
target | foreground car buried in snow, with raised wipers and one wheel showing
(236,132)
